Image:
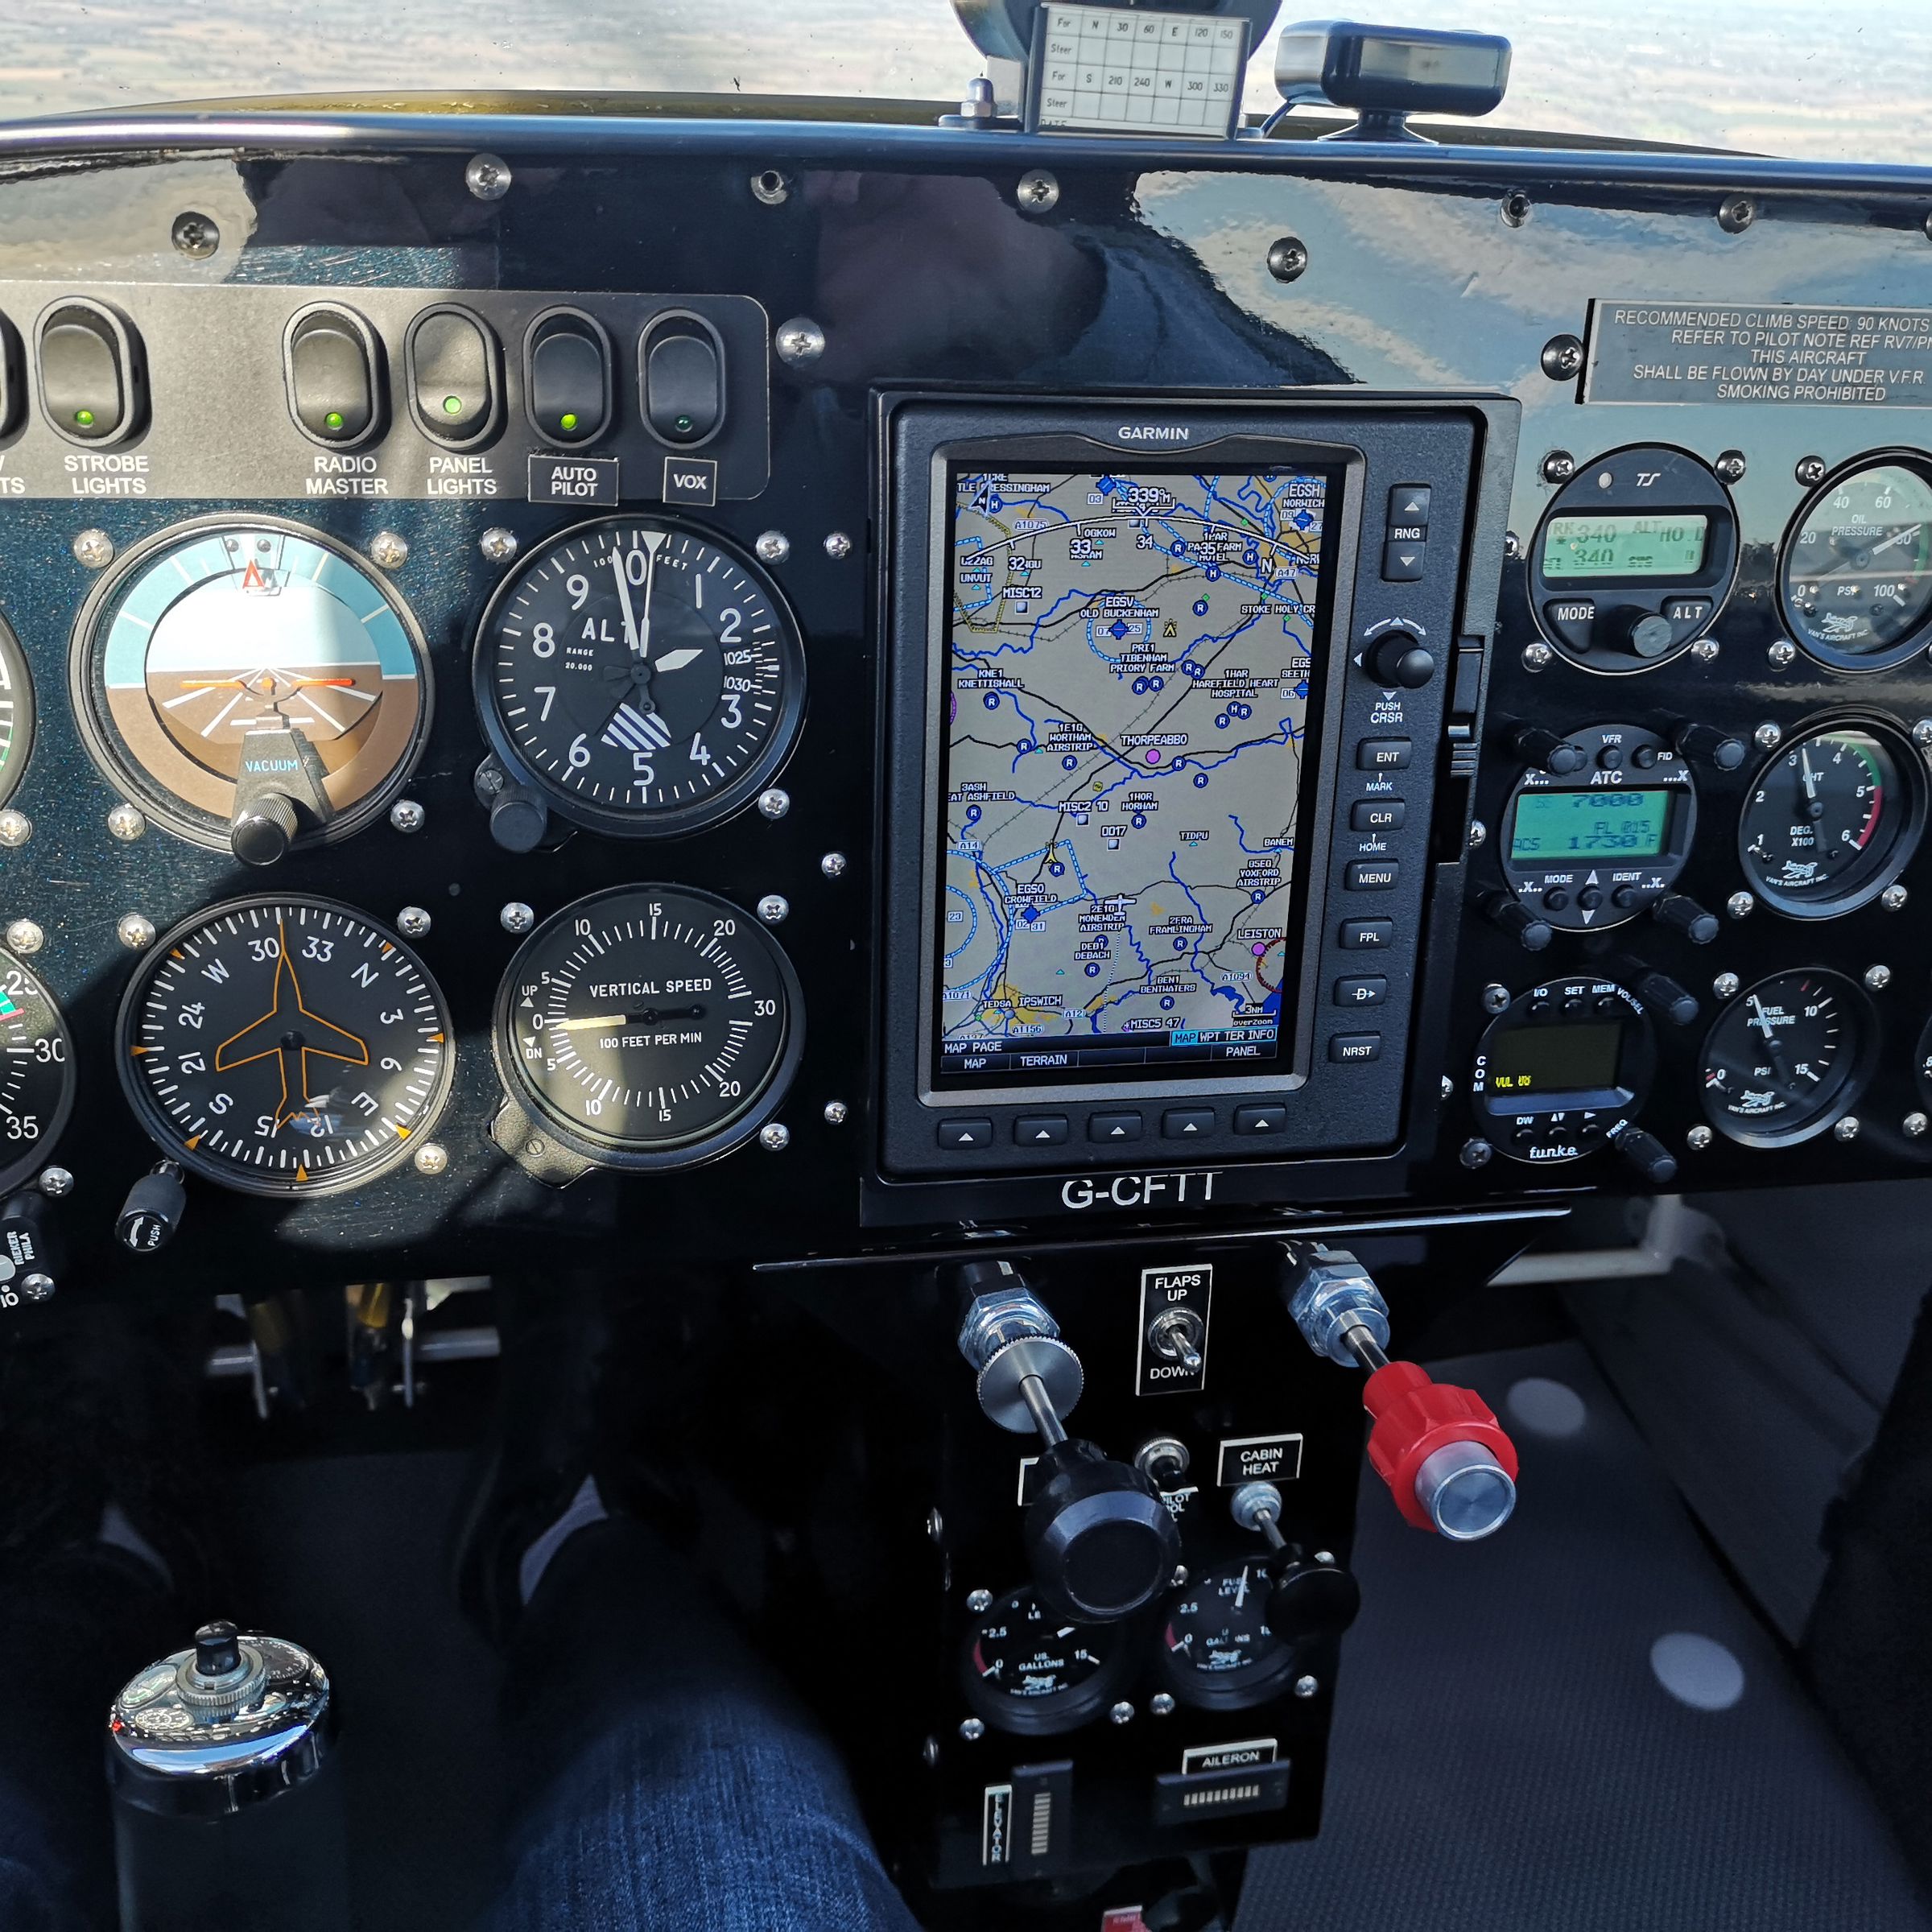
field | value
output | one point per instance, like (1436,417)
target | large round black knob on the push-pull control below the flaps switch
(1098,1537)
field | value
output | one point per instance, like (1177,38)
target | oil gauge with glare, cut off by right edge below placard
(1858,575)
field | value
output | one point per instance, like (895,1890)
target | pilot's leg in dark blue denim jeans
(671,1782)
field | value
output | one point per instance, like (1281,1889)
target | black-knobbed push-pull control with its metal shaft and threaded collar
(1098,1537)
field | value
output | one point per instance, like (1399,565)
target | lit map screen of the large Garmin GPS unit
(1129,679)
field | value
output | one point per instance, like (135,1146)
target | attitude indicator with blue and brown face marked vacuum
(227,660)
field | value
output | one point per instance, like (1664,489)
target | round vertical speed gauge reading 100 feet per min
(650,1027)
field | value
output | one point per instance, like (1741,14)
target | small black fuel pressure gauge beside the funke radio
(1786,1058)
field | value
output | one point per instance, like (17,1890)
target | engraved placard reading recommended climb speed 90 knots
(1771,353)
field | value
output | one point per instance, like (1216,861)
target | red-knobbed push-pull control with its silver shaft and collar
(1438,1448)
